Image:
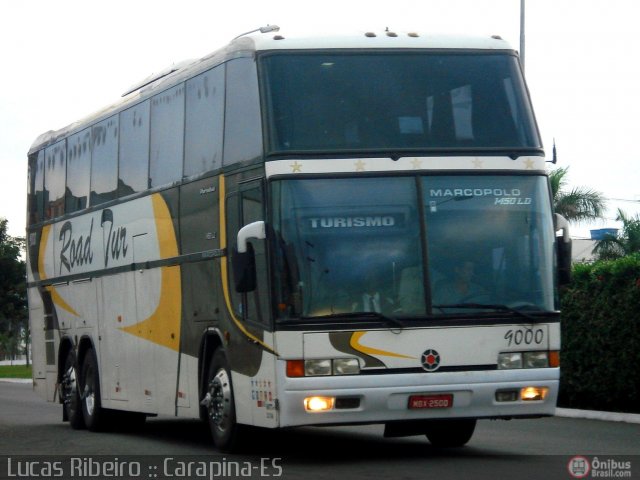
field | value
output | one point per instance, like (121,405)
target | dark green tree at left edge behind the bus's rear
(13,294)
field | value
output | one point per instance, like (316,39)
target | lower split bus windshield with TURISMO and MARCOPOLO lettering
(412,246)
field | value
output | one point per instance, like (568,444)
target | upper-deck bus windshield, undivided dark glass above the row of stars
(396,101)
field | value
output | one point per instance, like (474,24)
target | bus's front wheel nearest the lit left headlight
(220,405)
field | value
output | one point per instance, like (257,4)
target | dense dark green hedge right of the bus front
(601,337)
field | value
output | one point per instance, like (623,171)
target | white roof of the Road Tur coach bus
(273,40)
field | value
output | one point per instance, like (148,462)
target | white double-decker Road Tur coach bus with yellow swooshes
(302,231)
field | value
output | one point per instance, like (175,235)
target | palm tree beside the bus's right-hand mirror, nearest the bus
(577,205)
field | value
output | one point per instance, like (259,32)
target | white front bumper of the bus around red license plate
(384,397)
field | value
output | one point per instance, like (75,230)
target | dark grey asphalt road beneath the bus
(521,449)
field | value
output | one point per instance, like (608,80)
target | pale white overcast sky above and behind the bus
(65,59)
